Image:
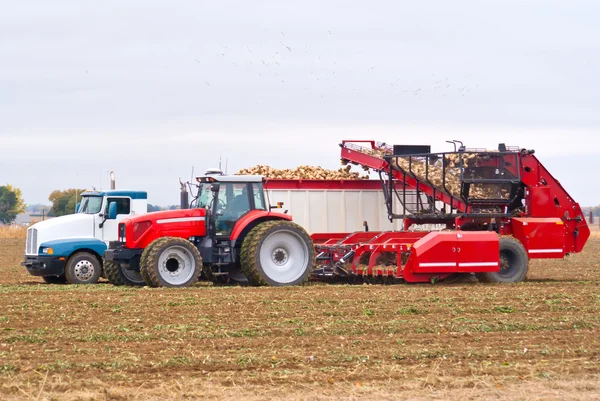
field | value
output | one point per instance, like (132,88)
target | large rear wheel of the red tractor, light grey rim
(277,253)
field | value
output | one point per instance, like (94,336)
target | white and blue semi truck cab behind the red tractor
(70,248)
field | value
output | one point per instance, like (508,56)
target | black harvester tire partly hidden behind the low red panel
(514,263)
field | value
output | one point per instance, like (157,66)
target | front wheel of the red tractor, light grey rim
(171,262)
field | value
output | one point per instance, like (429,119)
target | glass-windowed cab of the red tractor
(229,198)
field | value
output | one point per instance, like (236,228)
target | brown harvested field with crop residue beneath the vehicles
(535,340)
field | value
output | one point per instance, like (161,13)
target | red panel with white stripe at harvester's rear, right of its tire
(543,238)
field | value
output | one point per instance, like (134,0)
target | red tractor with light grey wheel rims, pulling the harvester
(230,235)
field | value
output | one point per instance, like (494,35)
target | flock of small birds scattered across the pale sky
(280,61)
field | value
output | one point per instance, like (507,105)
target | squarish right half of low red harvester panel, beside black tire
(478,252)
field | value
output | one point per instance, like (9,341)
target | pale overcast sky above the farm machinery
(151,89)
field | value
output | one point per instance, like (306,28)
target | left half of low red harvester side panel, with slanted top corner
(436,253)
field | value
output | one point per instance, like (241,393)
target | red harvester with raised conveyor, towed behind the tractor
(531,219)
